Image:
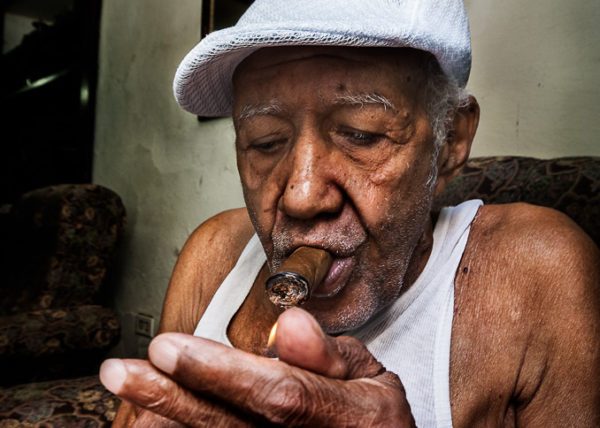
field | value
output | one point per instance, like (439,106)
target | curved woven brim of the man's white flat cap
(203,81)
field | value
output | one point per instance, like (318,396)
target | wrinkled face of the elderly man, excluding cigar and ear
(334,150)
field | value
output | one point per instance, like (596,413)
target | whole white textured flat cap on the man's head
(203,81)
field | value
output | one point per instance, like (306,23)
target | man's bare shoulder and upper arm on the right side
(528,315)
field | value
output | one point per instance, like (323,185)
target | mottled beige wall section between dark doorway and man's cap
(171,171)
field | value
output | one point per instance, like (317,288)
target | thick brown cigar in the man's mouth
(294,281)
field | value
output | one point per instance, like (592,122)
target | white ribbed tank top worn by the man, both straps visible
(410,338)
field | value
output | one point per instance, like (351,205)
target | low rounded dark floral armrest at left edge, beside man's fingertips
(57,331)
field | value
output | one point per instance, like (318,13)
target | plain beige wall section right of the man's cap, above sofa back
(536,66)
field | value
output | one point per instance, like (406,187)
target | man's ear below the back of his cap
(455,151)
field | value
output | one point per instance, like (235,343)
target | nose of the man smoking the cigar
(311,188)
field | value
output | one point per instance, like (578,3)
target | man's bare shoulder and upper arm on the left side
(209,254)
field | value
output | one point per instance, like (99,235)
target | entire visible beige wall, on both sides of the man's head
(534,72)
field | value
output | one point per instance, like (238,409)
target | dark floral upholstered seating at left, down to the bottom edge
(57,245)
